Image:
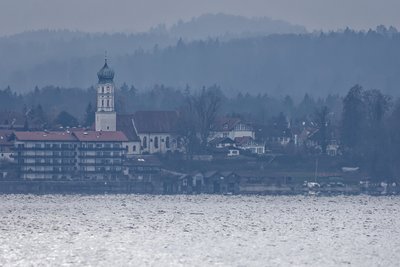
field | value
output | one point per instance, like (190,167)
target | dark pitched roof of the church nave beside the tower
(156,121)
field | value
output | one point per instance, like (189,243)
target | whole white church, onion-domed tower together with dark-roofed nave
(148,132)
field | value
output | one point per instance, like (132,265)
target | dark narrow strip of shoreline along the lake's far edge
(134,187)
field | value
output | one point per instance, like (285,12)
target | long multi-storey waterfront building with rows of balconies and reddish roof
(69,155)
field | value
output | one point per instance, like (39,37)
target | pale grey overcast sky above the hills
(140,15)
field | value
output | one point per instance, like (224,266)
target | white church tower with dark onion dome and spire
(106,117)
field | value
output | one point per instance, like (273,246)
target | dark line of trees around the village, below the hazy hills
(365,122)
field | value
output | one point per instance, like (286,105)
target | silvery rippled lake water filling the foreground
(121,230)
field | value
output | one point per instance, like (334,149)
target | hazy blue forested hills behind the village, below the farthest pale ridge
(274,64)
